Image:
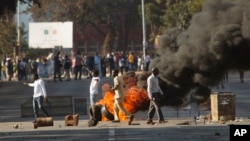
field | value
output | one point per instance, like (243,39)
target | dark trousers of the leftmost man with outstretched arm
(38,104)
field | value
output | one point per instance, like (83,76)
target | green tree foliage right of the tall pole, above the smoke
(164,14)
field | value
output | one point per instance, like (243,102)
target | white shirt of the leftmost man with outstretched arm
(39,88)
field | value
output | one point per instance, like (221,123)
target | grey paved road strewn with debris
(183,127)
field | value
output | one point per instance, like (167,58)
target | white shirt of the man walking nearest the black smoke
(153,85)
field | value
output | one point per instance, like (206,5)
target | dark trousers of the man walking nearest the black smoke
(155,107)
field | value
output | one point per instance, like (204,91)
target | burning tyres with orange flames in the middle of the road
(135,99)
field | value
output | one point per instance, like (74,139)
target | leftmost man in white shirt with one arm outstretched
(39,95)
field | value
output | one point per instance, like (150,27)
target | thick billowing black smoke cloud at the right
(217,41)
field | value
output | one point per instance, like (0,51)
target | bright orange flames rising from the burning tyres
(135,98)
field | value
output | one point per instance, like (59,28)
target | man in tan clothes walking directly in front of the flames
(119,96)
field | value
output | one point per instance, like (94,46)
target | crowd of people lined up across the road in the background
(72,66)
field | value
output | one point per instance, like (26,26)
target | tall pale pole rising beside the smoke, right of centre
(144,43)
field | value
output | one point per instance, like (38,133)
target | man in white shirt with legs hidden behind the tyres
(94,87)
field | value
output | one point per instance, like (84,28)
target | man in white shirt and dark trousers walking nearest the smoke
(154,92)
